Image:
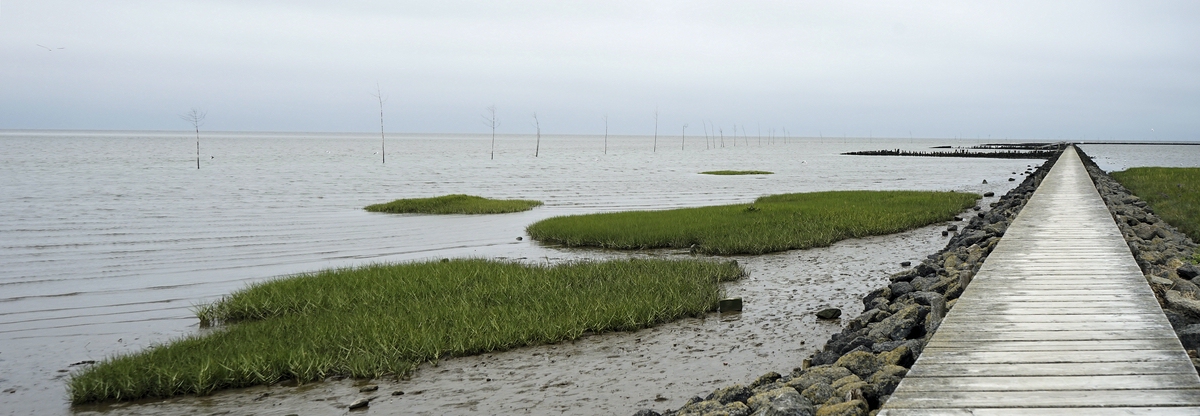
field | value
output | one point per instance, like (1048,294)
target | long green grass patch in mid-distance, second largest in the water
(772,224)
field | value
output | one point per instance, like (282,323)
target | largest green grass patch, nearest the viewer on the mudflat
(382,321)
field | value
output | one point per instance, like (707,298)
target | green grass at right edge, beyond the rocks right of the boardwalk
(1174,194)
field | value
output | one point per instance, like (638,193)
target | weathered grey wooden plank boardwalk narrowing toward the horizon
(1059,322)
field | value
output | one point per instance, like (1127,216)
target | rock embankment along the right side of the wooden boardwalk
(1162,252)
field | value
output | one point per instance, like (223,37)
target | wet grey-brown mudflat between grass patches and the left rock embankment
(620,372)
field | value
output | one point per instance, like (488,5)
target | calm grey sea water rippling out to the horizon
(109,239)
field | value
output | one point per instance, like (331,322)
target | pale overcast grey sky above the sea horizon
(935,69)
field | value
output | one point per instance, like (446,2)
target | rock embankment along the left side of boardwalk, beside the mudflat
(861,366)
